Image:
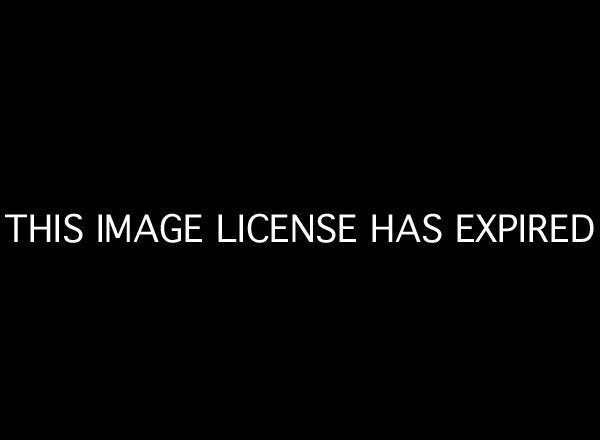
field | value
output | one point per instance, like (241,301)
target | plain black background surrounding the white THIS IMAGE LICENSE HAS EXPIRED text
(368,113)
